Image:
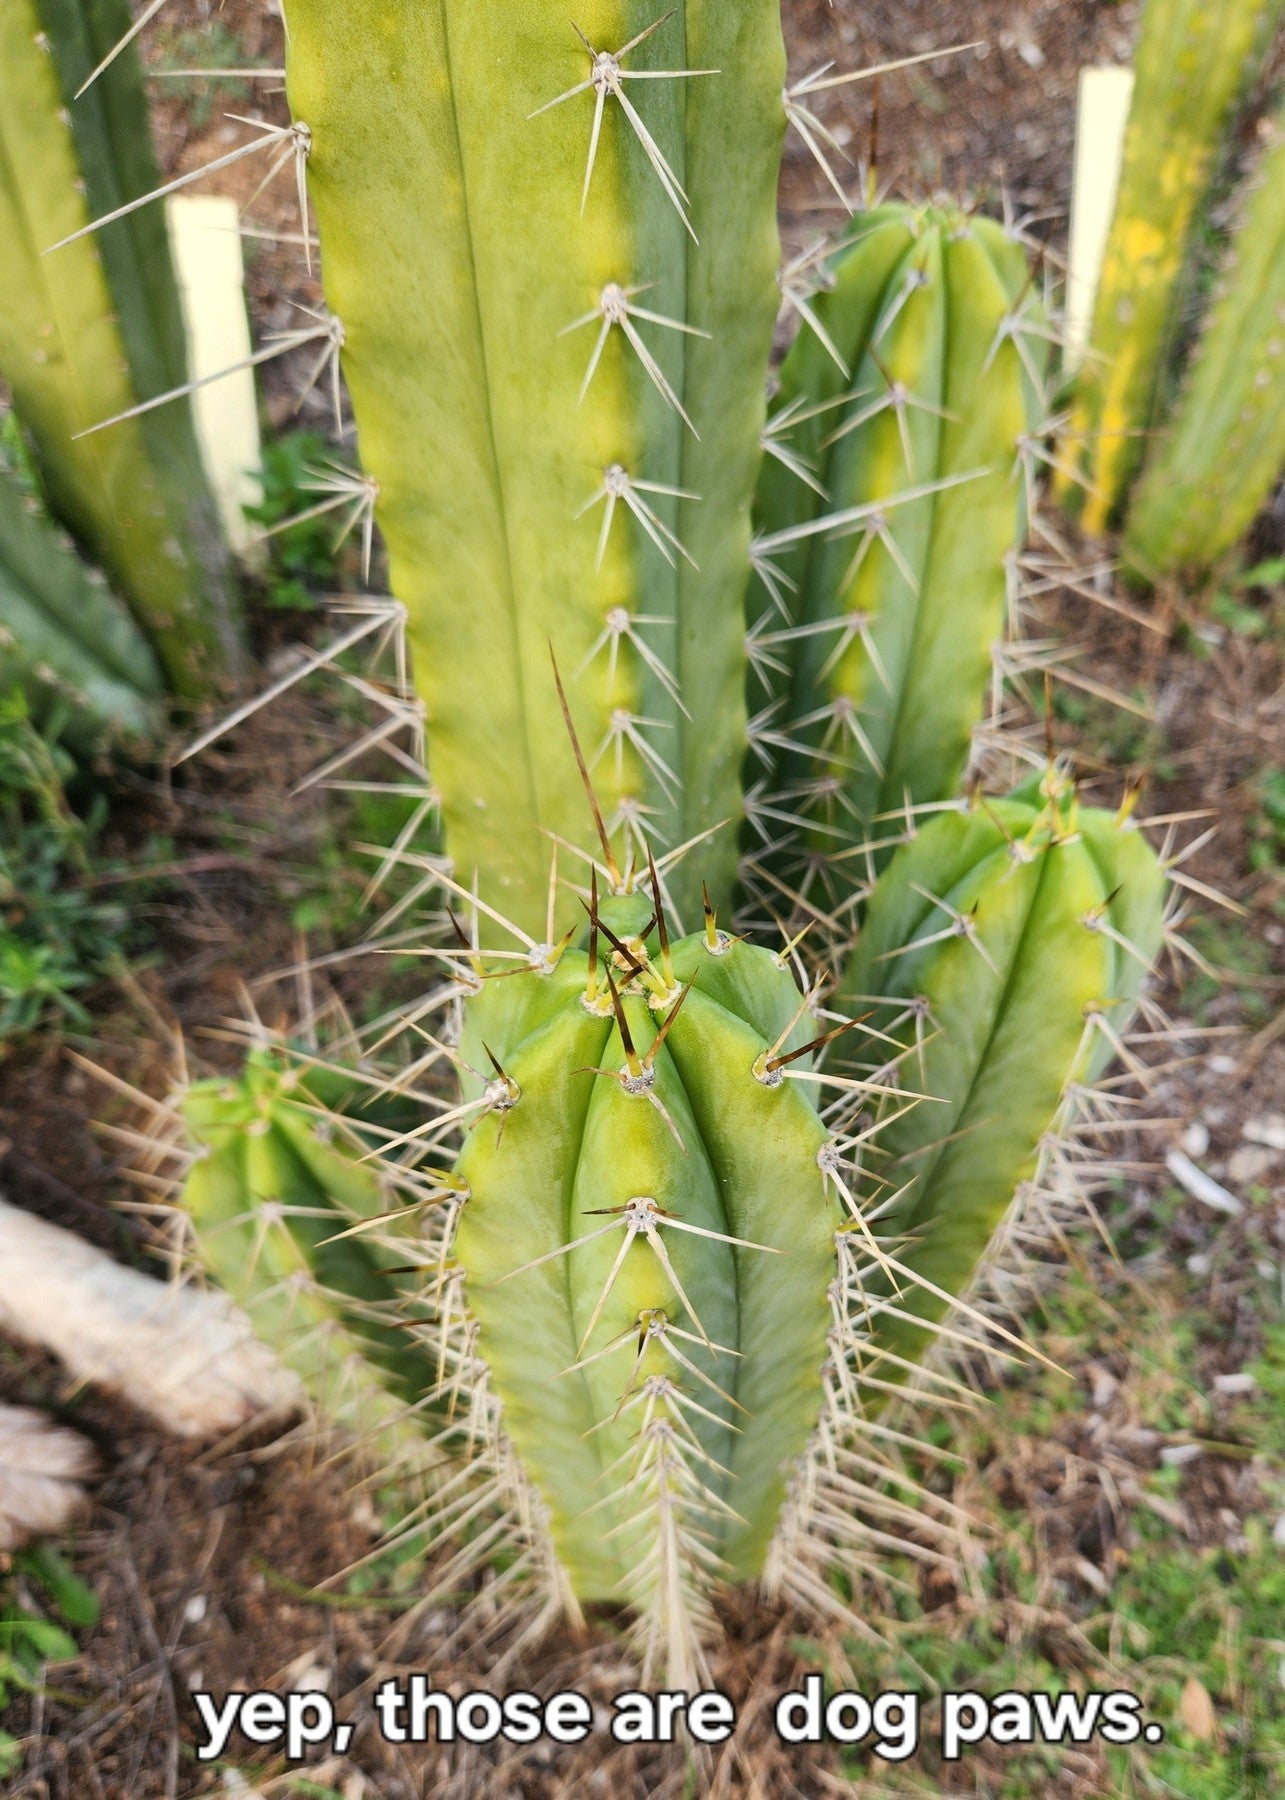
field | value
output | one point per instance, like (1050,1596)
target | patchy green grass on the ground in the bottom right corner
(1174,1610)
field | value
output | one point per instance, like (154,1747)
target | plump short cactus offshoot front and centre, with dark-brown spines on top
(647,1250)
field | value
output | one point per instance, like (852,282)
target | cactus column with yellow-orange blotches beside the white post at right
(1191,69)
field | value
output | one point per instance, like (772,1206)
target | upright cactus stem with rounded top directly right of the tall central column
(913,413)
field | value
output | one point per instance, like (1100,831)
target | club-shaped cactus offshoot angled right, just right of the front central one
(1003,949)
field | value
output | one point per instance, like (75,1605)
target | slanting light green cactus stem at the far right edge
(1225,447)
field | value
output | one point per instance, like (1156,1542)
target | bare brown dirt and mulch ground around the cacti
(208,1565)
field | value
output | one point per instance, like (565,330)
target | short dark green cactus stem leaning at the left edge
(66,640)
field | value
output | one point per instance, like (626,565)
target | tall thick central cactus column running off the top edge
(552,251)
